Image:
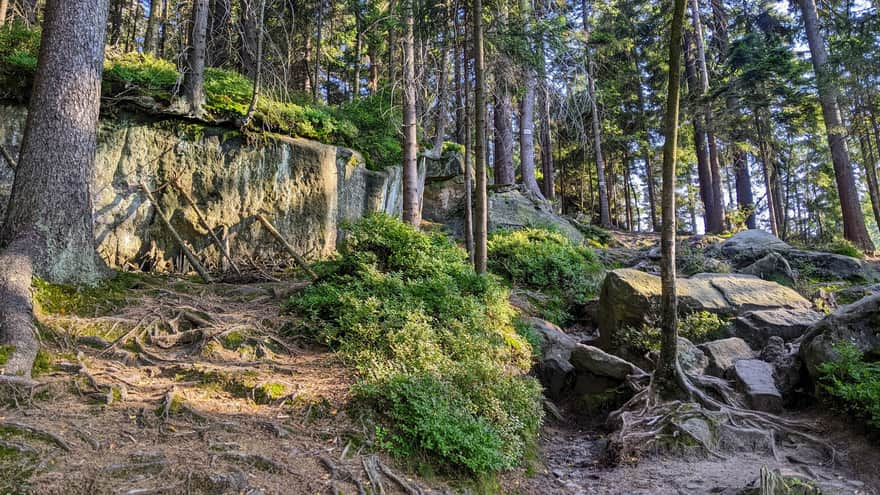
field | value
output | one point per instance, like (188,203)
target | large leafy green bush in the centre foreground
(433,343)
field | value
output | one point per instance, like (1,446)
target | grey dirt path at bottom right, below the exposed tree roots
(573,467)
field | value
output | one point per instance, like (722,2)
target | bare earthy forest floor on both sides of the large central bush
(180,387)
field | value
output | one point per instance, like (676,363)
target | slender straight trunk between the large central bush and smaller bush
(481,207)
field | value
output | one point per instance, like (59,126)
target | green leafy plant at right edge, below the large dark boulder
(853,383)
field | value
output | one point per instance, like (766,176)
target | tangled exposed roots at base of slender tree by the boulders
(709,418)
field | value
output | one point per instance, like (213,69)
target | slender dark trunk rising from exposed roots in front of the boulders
(666,375)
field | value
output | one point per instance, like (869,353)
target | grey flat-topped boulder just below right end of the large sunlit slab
(756,327)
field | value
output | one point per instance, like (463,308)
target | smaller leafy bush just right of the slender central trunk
(547,261)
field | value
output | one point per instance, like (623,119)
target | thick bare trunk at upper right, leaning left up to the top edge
(853,221)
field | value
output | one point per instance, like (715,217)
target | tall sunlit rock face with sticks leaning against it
(305,188)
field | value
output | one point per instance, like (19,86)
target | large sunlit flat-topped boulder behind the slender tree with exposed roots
(632,298)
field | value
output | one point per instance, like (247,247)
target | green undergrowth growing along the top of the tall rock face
(368,125)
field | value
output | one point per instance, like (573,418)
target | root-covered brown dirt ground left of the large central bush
(185,389)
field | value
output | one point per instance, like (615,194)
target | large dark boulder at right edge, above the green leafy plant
(857,323)
